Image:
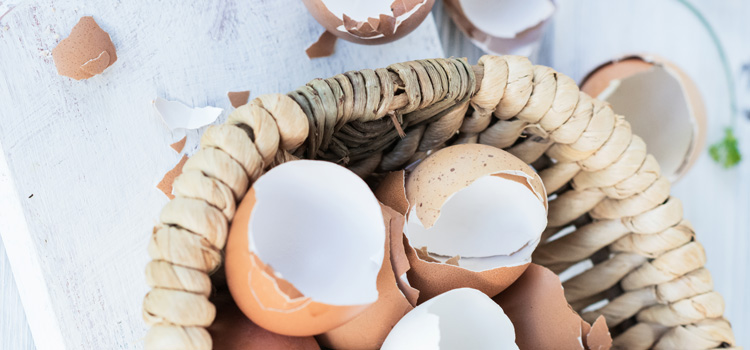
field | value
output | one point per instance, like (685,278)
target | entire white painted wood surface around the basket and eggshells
(91,152)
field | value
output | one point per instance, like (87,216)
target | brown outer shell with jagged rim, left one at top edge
(358,32)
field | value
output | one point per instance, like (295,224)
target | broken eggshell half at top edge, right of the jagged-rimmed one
(504,27)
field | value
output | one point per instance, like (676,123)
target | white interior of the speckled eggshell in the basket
(489,223)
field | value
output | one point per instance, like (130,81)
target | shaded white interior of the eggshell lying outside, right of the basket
(655,104)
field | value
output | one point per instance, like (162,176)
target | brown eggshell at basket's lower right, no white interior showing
(542,318)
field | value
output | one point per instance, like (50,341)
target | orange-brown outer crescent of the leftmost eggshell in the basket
(269,301)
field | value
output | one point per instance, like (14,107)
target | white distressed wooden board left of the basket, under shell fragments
(91,152)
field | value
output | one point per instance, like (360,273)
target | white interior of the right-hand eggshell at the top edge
(506,18)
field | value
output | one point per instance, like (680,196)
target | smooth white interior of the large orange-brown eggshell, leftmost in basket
(319,227)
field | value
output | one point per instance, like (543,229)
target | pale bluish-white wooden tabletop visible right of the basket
(586,33)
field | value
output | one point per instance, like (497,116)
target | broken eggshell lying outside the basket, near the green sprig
(662,104)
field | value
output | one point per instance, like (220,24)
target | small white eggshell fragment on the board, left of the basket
(179,116)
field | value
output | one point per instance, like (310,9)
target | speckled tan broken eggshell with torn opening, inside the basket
(474,214)
